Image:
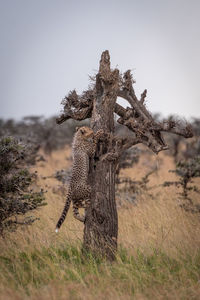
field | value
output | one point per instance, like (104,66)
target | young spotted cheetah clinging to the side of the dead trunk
(79,192)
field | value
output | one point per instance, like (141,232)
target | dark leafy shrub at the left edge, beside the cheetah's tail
(16,197)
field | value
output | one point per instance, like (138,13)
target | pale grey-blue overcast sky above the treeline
(49,47)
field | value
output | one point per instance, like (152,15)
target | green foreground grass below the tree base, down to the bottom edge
(27,273)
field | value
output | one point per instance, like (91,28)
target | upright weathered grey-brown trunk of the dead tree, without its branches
(101,226)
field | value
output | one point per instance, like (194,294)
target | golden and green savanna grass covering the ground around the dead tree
(159,246)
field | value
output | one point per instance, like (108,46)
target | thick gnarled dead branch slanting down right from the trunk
(139,120)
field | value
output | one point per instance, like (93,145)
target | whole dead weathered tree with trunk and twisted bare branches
(99,104)
